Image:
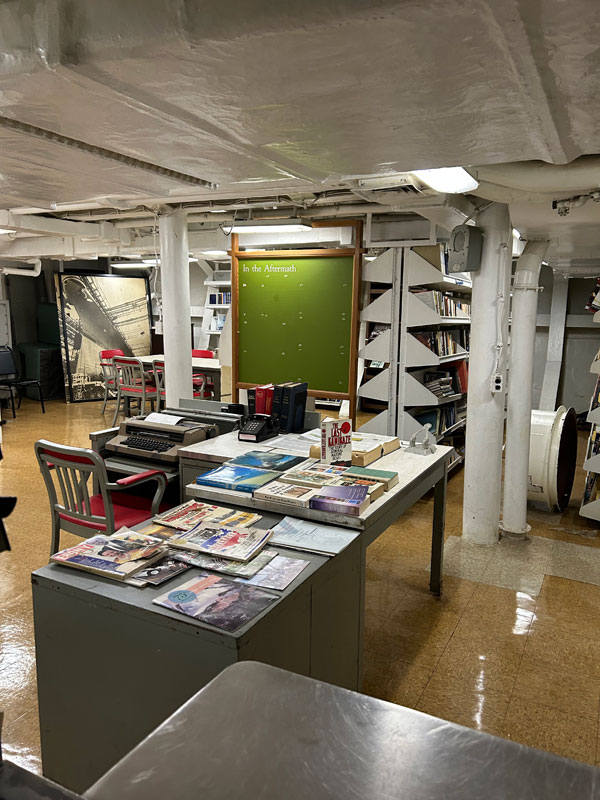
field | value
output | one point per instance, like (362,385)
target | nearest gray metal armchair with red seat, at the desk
(67,472)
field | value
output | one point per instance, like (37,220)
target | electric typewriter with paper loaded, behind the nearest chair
(158,441)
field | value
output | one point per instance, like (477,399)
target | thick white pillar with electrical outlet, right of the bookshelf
(485,408)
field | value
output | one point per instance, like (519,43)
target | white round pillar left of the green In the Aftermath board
(175,286)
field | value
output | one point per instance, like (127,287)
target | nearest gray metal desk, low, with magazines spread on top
(111,665)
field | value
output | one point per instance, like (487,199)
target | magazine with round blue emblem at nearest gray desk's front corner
(217,601)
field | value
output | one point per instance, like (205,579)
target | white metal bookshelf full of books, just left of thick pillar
(435,324)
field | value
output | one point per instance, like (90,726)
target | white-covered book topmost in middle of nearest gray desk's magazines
(239,544)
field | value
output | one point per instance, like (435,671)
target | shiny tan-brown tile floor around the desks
(512,648)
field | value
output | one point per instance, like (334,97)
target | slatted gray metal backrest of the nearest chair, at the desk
(66,472)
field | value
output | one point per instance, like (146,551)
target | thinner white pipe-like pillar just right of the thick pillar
(520,387)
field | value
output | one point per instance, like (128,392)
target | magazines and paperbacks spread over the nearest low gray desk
(239,572)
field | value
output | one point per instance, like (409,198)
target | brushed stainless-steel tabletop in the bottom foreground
(257,731)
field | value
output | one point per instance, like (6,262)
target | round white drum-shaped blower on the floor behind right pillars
(552,457)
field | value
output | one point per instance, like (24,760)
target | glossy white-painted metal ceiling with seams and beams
(259,95)
